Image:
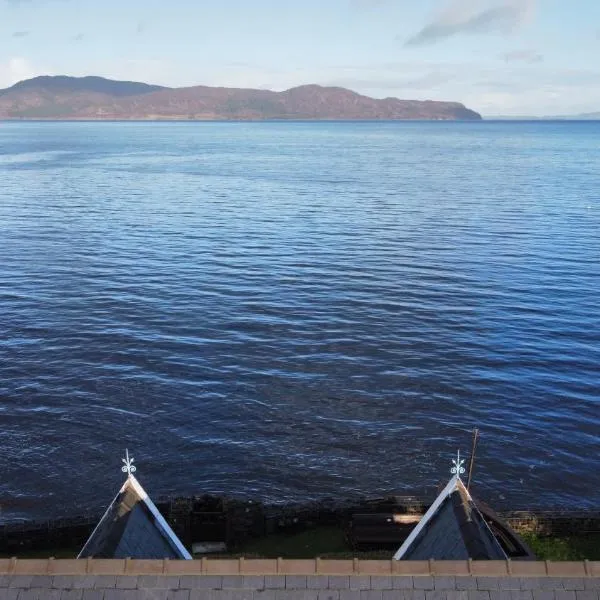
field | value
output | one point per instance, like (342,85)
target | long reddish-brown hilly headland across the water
(73,98)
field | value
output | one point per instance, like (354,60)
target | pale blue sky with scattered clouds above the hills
(499,57)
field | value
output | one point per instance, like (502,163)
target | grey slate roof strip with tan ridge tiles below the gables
(278,579)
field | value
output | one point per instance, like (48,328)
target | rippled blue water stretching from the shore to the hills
(290,311)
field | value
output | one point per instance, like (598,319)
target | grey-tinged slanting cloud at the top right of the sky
(474,16)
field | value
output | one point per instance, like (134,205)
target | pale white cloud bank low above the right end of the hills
(512,88)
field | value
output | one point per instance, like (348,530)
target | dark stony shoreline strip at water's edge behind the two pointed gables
(232,521)
